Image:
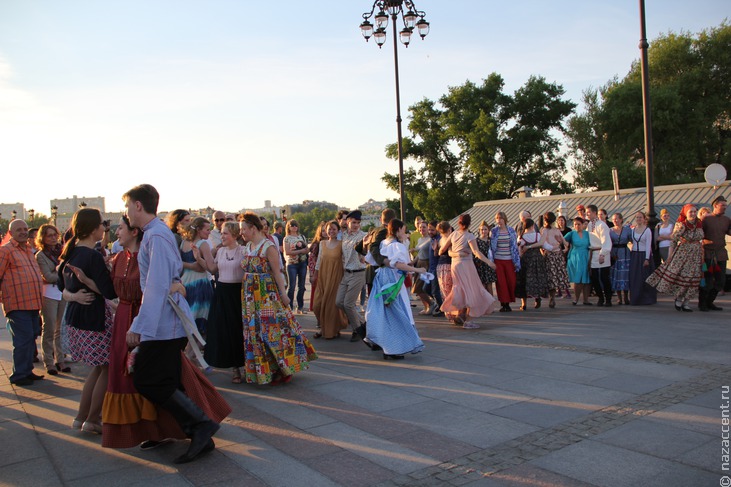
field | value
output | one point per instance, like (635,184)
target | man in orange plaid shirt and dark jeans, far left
(22,290)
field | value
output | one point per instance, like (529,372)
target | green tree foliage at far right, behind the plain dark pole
(690,95)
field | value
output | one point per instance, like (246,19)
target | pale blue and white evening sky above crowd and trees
(231,103)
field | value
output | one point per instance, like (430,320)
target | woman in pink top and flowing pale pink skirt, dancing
(468,297)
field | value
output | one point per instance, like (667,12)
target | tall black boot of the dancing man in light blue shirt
(194,423)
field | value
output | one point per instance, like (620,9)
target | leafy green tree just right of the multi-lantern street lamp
(478,143)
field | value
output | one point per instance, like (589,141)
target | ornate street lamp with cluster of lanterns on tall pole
(411,19)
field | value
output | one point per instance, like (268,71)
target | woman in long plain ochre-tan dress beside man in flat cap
(329,269)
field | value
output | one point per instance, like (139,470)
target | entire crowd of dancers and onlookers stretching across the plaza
(173,298)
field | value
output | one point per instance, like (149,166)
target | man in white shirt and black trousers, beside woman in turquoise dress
(601,244)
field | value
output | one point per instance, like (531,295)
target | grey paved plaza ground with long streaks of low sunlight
(572,396)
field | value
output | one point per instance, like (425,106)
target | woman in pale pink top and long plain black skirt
(225,339)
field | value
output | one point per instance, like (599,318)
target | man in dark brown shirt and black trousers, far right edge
(715,228)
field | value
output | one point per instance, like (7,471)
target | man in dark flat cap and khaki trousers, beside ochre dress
(354,275)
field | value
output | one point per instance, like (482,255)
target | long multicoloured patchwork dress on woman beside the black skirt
(274,345)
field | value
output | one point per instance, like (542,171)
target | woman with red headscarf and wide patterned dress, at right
(680,275)
